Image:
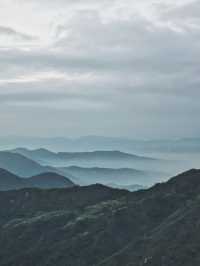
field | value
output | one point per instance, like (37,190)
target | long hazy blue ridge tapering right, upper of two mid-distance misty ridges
(109,159)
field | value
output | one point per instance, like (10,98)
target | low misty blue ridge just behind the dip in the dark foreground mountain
(121,176)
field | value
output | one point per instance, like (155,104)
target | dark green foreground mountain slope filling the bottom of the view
(99,226)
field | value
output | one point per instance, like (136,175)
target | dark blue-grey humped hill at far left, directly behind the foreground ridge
(9,181)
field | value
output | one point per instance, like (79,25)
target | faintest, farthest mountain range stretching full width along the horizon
(91,143)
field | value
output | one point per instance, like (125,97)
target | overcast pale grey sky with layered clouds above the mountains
(110,67)
